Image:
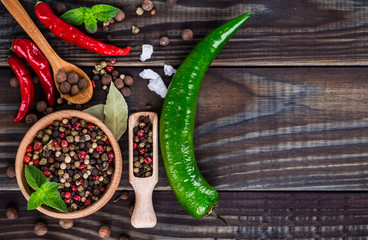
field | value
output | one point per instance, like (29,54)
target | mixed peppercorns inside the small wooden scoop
(143,148)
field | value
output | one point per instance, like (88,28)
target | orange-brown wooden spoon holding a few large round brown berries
(57,64)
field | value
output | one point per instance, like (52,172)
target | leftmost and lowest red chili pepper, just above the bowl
(26,85)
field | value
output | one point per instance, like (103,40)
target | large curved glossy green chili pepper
(177,122)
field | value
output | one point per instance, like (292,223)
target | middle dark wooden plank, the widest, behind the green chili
(256,128)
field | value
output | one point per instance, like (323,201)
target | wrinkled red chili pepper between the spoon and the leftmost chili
(25,48)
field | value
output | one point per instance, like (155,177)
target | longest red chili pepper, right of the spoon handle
(73,35)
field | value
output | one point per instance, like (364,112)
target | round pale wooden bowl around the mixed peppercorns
(42,124)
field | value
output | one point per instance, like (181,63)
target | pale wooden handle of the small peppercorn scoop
(143,215)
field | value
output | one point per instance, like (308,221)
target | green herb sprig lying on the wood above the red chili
(89,16)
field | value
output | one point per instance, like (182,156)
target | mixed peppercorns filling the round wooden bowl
(76,154)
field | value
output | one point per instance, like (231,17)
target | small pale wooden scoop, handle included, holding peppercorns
(143,215)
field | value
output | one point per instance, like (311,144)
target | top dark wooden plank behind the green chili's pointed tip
(283,33)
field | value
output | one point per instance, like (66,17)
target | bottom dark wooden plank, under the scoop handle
(252,215)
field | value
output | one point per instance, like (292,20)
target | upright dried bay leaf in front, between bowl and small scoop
(116,112)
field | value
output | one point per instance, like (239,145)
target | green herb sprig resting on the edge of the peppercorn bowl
(46,192)
